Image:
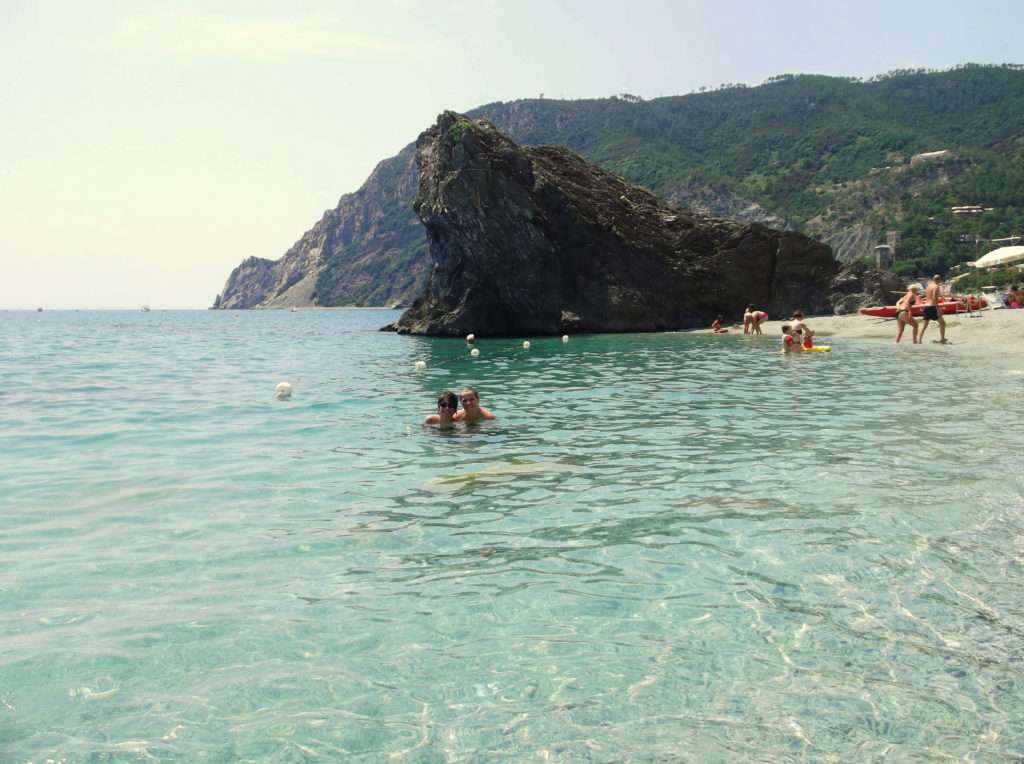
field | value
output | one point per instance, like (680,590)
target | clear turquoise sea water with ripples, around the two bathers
(668,548)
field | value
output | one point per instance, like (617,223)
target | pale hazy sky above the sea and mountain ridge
(148,148)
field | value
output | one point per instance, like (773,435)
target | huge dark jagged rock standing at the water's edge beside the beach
(537,241)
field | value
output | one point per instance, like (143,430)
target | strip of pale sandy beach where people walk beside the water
(996,333)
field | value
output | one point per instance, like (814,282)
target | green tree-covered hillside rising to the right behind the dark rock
(823,153)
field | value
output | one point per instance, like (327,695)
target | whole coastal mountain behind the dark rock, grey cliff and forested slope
(836,158)
